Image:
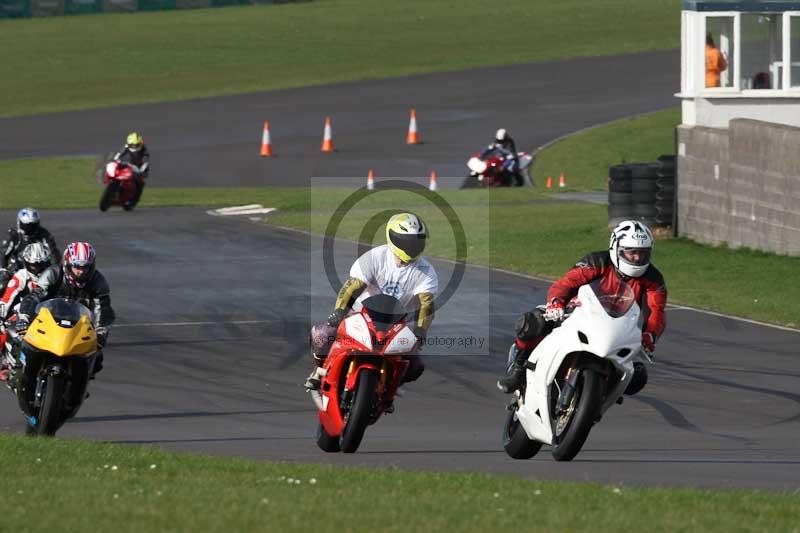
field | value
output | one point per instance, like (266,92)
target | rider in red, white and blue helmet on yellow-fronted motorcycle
(79,280)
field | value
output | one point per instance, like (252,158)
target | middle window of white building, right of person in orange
(761,51)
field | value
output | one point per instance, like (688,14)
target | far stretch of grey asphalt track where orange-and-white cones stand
(215,142)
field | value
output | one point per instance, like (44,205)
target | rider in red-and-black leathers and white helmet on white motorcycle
(628,258)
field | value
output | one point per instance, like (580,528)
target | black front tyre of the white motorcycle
(587,402)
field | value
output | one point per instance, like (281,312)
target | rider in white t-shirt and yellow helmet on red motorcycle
(395,268)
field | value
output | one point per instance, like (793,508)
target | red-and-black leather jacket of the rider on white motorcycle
(649,289)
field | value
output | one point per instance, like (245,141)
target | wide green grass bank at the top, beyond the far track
(66,63)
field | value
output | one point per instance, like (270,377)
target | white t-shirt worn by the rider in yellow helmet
(378,269)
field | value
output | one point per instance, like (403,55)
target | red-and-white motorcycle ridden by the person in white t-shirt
(364,367)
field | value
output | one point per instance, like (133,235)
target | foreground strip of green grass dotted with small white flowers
(74,485)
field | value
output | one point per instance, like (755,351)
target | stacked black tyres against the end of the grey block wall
(642,191)
